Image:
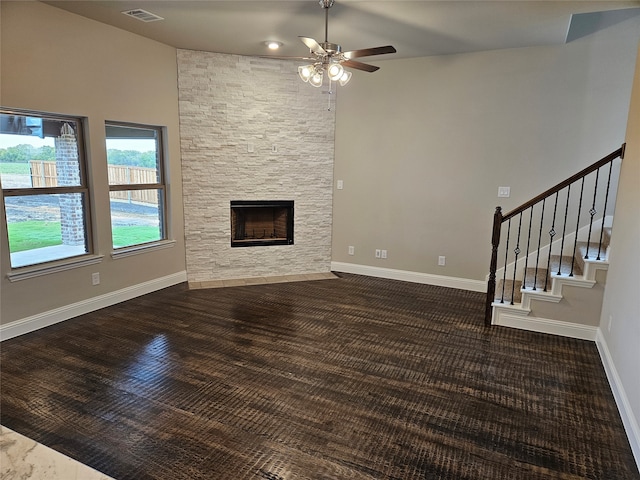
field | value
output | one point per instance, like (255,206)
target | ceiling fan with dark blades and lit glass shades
(328,57)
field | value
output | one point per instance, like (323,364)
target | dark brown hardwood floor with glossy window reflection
(352,378)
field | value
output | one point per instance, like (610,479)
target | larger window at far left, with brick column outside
(44,188)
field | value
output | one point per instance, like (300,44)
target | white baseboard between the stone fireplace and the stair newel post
(406,276)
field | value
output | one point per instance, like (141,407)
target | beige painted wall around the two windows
(57,62)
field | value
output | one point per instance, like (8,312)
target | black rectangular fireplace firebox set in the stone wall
(261,222)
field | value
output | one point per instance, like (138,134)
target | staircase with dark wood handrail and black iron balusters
(553,251)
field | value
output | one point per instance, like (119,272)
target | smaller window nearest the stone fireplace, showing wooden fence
(136,184)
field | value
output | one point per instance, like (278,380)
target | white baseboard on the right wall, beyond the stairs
(622,401)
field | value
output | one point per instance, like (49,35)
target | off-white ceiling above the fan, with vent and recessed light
(415,28)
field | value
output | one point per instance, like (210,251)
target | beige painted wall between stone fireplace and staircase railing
(423,144)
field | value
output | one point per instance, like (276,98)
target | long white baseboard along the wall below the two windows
(51,317)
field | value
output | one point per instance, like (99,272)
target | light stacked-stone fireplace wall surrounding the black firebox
(234,111)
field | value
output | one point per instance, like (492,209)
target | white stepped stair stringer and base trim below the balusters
(519,315)
